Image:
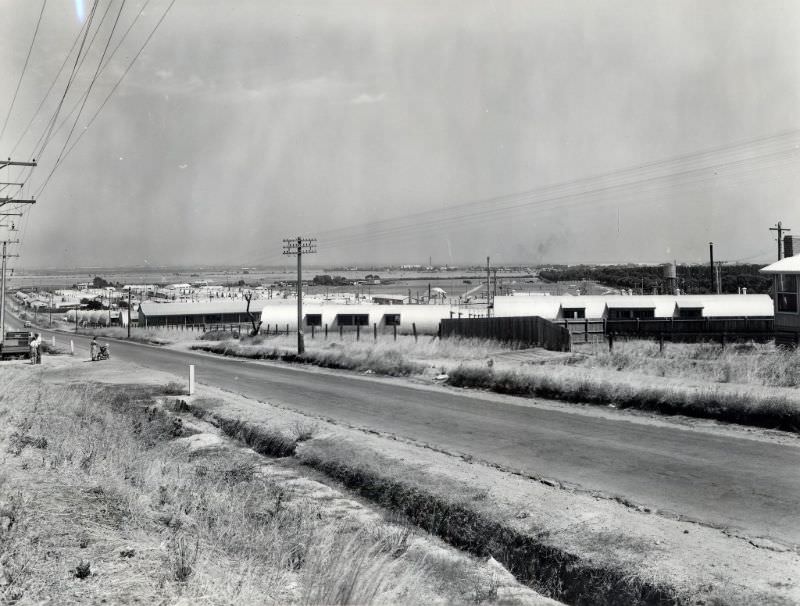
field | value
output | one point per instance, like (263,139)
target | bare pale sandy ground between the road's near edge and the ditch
(702,562)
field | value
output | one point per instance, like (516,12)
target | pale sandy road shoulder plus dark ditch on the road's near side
(565,544)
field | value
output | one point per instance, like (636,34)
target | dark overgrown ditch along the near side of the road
(450,512)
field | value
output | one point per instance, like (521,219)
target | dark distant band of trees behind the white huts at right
(690,278)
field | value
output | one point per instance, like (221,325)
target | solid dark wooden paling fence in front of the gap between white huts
(528,331)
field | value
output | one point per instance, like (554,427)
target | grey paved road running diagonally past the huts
(750,486)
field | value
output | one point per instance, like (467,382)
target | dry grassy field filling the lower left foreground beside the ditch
(107,504)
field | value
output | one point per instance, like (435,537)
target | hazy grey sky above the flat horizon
(394,132)
